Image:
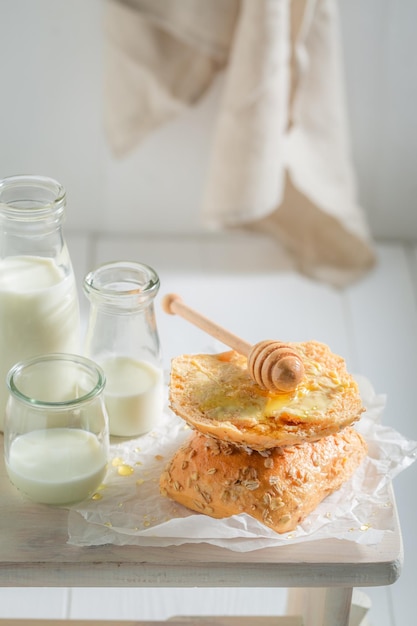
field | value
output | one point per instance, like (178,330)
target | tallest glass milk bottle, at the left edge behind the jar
(39,311)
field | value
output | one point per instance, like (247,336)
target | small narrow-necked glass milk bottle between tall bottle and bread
(122,338)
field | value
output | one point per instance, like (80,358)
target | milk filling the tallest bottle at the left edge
(38,313)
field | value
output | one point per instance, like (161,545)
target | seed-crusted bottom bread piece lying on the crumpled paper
(279,487)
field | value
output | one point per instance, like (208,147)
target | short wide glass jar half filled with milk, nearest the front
(56,438)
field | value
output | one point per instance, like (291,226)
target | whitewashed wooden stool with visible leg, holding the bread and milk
(34,552)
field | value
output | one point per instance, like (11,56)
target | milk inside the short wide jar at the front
(57,465)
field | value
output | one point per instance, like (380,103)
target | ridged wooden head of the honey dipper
(275,366)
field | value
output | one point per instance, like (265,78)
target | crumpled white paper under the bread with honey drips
(129,510)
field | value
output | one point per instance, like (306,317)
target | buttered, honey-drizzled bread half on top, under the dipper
(215,395)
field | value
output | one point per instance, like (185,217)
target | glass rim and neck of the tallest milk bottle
(31,197)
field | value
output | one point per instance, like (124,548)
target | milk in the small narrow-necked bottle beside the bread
(133,395)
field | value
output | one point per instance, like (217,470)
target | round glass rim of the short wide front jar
(85,363)
